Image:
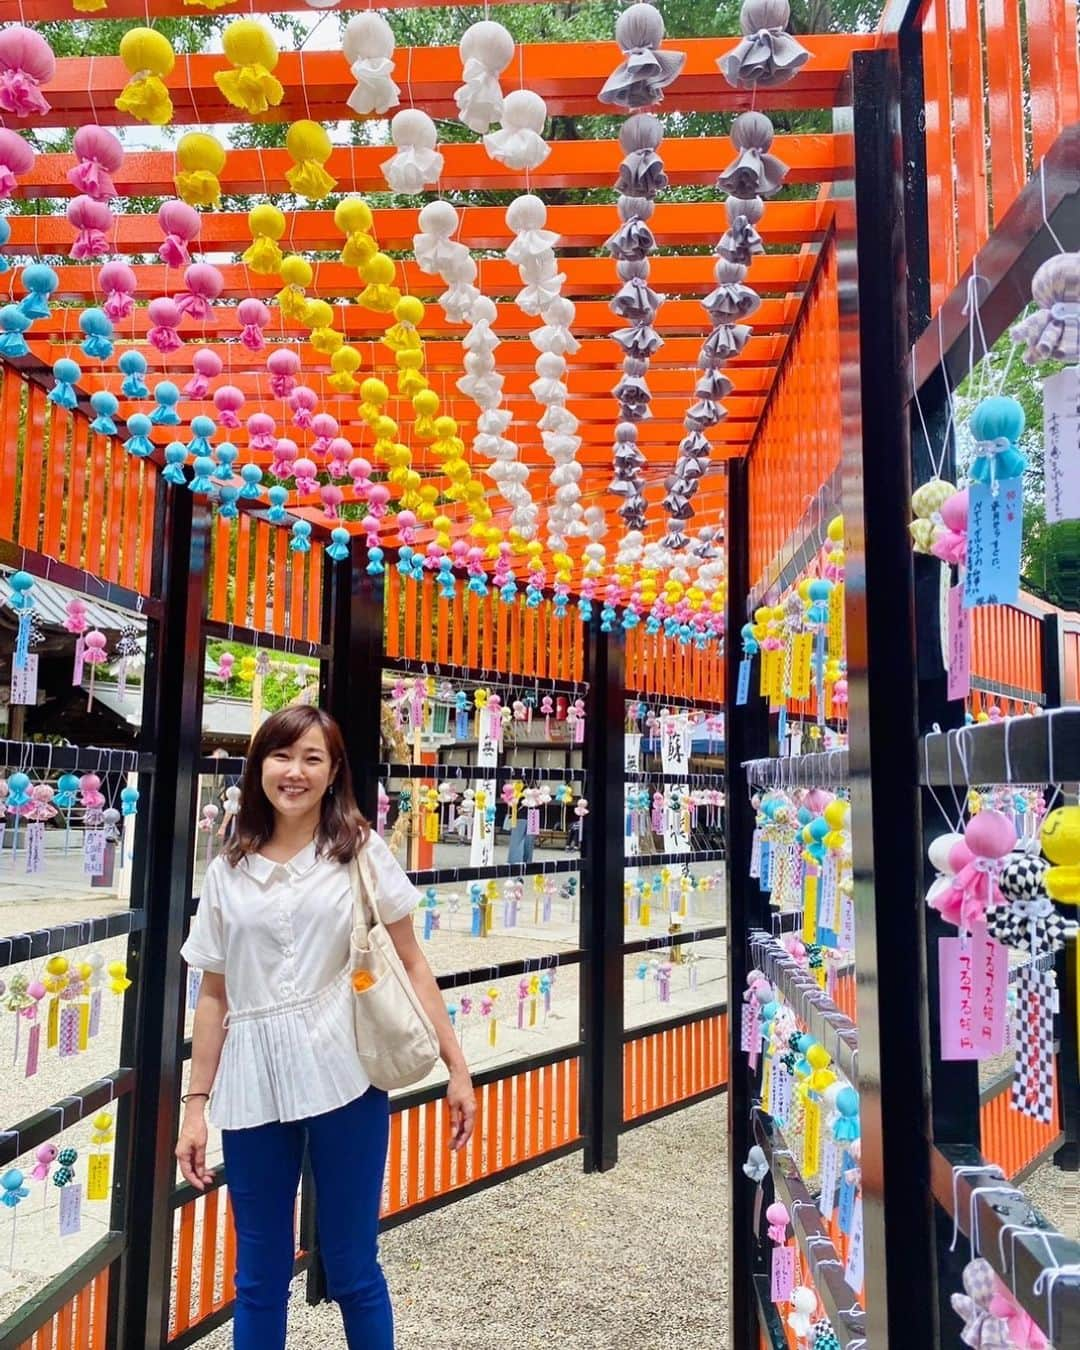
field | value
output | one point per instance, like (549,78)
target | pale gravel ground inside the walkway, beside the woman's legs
(557,1258)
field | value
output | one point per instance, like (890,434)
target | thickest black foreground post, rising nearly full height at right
(892,975)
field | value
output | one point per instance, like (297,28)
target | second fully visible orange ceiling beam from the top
(573,164)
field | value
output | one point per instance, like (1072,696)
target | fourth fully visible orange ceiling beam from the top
(673,275)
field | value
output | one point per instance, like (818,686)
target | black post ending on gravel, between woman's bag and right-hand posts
(601,881)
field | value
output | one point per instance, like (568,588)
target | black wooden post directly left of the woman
(173,730)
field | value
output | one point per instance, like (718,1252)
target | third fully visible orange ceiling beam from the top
(483,227)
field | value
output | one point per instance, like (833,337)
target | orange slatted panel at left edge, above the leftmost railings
(70,495)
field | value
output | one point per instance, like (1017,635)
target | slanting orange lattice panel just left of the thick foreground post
(797,446)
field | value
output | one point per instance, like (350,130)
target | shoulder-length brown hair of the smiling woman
(342,830)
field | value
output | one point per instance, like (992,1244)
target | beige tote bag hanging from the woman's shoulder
(396,1040)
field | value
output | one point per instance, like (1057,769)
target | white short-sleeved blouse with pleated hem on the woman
(280,935)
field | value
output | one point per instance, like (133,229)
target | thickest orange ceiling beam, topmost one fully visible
(569,76)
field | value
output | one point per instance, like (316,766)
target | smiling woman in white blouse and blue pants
(279,1063)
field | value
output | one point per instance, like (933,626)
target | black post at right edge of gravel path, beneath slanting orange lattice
(746,736)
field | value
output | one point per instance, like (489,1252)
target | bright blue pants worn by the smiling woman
(348,1151)
